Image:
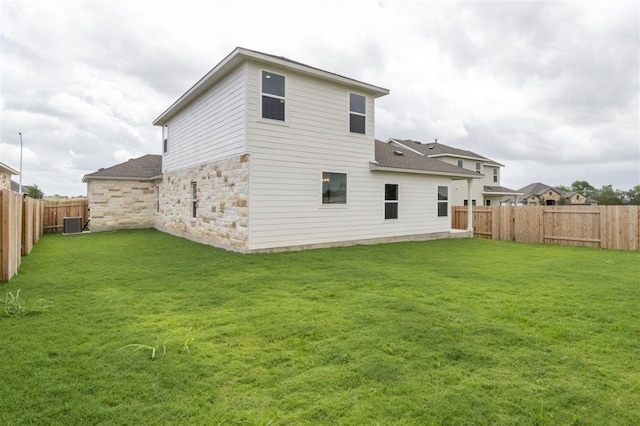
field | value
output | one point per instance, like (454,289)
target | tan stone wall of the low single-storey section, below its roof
(121,204)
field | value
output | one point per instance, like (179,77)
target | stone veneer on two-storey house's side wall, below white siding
(222,217)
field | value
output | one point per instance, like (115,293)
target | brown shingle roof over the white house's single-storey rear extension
(393,157)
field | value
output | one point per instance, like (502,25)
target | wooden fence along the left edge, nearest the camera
(20,228)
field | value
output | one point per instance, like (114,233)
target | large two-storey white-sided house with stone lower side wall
(264,153)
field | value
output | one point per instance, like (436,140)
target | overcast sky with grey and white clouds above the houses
(549,89)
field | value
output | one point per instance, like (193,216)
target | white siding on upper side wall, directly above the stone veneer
(211,128)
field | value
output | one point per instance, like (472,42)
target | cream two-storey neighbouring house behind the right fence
(485,191)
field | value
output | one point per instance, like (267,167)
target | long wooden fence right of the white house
(611,227)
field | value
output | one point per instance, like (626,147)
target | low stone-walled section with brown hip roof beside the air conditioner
(125,195)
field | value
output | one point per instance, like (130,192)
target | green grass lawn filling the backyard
(450,332)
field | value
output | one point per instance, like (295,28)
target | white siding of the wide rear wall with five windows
(286,165)
